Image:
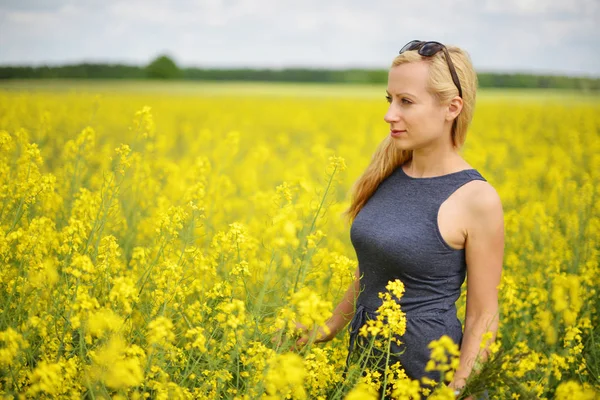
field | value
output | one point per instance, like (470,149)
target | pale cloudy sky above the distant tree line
(543,36)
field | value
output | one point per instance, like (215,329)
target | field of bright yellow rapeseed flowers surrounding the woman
(155,237)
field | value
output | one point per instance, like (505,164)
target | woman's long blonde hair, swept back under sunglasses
(387,157)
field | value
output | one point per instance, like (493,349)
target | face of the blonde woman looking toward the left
(416,118)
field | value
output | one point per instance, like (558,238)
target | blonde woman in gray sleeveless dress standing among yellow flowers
(420,213)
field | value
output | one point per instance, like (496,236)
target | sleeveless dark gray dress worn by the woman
(396,236)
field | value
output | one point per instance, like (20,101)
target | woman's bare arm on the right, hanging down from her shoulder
(484,251)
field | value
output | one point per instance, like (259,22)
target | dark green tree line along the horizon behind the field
(165,68)
